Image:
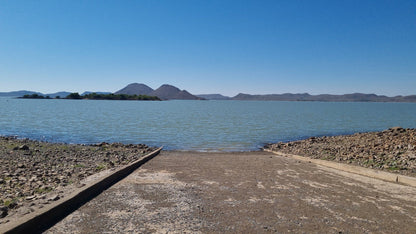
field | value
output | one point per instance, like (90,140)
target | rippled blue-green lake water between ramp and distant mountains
(195,125)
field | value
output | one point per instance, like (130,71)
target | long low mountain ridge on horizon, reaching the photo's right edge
(354,97)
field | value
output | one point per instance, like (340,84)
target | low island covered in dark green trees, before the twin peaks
(96,96)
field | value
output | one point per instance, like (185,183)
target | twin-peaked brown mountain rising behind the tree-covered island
(164,92)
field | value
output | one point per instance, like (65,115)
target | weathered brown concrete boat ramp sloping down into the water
(250,192)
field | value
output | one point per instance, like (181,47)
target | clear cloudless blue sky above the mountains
(224,46)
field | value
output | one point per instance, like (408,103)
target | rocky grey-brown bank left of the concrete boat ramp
(31,171)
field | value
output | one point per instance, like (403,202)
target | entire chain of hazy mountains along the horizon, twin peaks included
(169,92)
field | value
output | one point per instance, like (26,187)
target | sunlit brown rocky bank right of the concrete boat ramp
(392,150)
